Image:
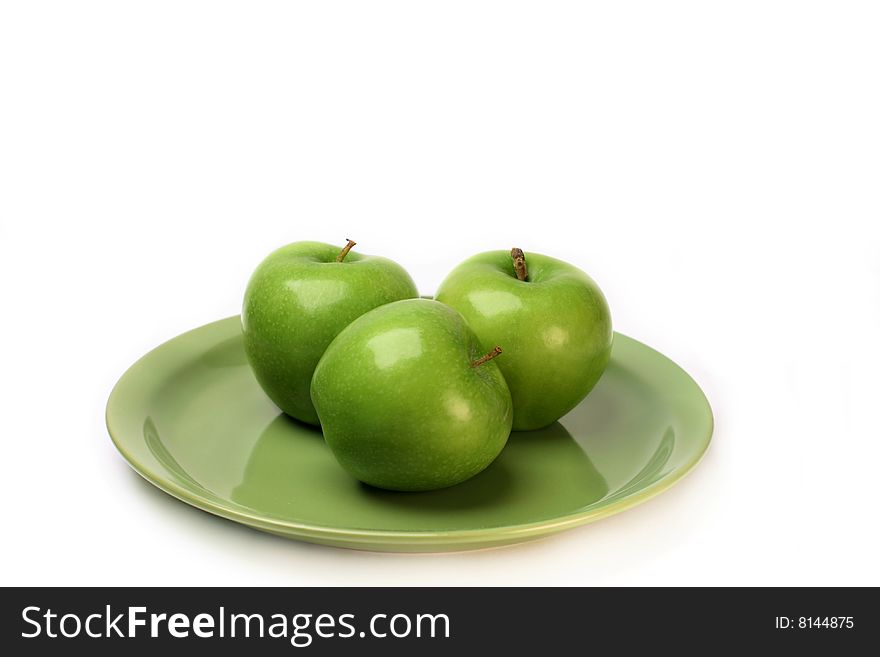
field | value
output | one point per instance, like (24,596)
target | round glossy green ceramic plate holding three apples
(190,417)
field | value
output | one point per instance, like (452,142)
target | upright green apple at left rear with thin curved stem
(298,299)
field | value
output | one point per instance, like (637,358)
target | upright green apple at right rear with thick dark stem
(552,320)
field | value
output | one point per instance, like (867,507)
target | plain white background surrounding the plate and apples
(714,166)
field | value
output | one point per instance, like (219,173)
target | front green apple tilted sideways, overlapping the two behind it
(408,402)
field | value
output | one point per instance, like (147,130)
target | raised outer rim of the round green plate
(486,536)
